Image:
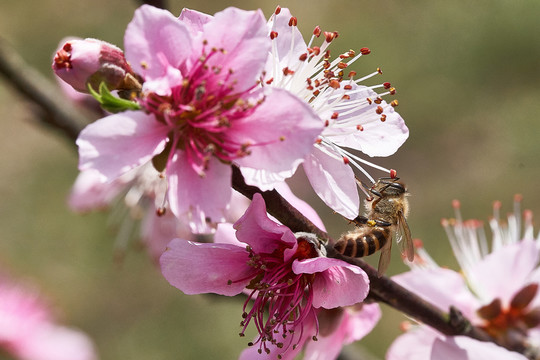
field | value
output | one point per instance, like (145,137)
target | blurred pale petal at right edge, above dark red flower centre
(502,273)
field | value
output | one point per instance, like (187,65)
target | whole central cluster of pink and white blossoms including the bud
(188,99)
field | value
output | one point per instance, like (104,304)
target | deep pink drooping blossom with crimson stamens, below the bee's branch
(284,272)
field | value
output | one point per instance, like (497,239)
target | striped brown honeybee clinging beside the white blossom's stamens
(386,212)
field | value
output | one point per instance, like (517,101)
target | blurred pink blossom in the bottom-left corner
(28,330)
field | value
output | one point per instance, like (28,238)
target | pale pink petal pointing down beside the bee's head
(333,181)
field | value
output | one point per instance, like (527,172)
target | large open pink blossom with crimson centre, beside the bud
(202,109)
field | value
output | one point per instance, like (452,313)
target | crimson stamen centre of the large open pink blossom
(200,112)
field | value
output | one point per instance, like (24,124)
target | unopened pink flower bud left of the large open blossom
(81,62)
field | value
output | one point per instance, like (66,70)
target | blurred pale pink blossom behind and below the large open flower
(133,199)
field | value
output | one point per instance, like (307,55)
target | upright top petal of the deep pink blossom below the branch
(261,233)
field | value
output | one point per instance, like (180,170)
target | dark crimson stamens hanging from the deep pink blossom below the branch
(287,297)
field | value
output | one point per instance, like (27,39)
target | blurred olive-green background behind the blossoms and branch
(467,75)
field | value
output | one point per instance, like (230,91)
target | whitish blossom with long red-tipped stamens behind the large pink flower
(355,116)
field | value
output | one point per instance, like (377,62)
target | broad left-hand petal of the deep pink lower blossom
(197,268)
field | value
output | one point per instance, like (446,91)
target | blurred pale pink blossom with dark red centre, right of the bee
(496,290)
